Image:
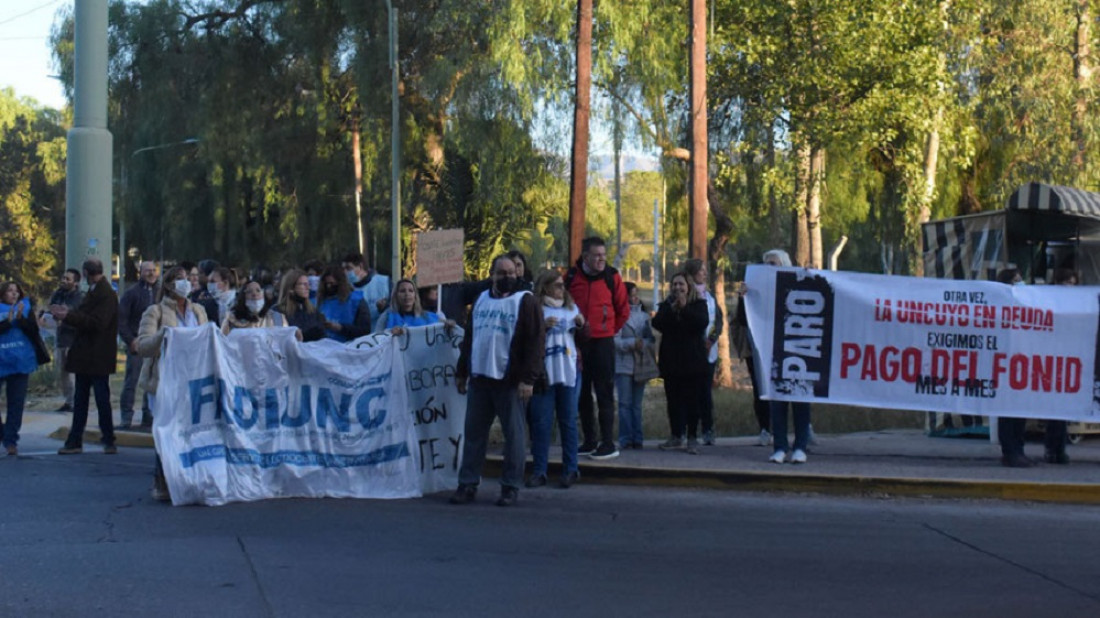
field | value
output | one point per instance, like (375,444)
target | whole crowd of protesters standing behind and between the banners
(573,350)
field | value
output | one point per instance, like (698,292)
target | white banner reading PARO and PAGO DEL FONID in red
(975,348)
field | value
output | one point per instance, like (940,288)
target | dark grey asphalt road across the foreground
(80,537)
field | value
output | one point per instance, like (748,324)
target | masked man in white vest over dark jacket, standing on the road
(501,360)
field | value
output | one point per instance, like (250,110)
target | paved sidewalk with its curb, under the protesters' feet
(883,463)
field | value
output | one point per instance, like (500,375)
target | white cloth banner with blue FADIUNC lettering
(258,415)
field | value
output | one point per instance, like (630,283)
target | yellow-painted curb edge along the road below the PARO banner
(866,487)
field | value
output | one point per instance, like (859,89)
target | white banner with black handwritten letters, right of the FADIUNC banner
(437,410)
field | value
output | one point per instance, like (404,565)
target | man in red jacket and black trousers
(599,293)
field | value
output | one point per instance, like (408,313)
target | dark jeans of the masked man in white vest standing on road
(488,400)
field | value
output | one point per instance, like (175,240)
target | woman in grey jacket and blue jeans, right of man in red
(635,340)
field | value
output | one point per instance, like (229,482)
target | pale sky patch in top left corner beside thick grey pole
(26,63)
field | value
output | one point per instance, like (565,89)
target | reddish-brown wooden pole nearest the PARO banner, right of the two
(697,246)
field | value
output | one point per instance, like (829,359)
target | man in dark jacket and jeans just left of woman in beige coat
(134,304)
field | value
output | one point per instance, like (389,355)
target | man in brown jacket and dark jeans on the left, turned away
(93,357)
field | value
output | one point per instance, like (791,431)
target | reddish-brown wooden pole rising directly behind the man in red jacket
(579,181)
